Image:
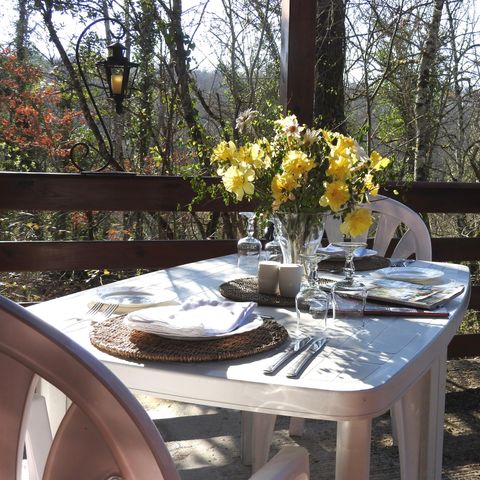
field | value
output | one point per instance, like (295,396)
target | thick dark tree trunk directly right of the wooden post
(329,107)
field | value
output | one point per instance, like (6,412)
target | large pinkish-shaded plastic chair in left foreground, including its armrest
(105,435)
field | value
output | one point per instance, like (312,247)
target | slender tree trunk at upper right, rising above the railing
(424,117)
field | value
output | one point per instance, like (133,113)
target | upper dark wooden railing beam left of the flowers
(103,191)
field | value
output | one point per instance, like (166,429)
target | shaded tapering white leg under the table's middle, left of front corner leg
(257,434)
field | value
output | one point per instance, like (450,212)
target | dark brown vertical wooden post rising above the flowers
(297,58)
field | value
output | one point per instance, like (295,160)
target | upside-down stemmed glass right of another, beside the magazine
(349,296)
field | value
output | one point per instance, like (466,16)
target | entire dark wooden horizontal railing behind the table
(119,192)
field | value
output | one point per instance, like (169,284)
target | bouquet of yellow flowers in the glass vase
(300,170)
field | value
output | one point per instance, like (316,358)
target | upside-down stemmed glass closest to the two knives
(311,302)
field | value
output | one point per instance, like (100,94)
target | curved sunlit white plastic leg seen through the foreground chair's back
(38,438)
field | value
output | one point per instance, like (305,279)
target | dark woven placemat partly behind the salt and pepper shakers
(246,290)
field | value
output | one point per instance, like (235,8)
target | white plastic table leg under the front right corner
(353,449)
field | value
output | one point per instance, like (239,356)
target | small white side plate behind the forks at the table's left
(132,298)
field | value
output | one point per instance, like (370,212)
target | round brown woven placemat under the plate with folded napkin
(114,337)
